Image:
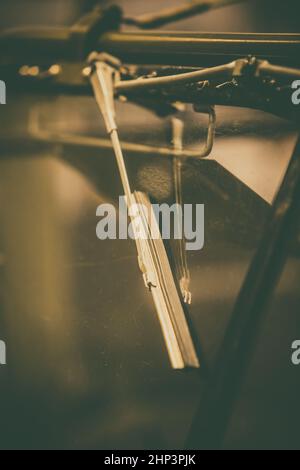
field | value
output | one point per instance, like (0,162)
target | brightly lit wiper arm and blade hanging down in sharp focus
(152,256)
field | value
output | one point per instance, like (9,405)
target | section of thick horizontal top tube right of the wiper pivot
(199,49)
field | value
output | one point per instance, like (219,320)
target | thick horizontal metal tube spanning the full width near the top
(37,45)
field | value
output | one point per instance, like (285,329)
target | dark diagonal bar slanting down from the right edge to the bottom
(219,397)
